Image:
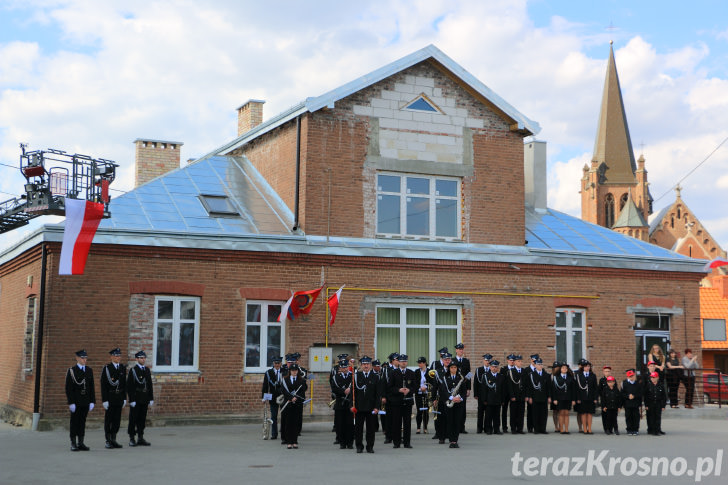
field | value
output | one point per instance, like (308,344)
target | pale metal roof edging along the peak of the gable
(329,98)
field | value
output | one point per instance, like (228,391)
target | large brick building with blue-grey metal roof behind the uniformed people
(413,186)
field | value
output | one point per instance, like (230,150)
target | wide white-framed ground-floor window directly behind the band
(416,330)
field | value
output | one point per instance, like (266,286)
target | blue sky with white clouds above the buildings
(92,76)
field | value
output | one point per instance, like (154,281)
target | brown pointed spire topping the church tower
(613,145)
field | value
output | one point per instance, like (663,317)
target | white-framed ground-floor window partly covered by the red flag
(264,334)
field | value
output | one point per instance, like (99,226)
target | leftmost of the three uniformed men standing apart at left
(81,398)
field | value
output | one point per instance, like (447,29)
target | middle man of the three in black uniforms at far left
(113,396)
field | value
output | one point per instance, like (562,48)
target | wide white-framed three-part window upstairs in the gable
(418,205)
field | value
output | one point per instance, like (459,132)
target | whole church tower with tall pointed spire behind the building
(614,189)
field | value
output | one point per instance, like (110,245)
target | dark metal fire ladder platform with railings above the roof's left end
(52,176)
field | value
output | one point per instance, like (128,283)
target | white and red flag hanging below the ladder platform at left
(82,220)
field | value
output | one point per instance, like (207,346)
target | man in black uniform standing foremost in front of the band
(367,391)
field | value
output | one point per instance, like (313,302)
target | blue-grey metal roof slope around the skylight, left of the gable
(172,202)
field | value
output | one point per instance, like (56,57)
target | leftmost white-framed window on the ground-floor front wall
(176,333)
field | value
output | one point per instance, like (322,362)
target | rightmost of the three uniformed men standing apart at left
(140,392)
